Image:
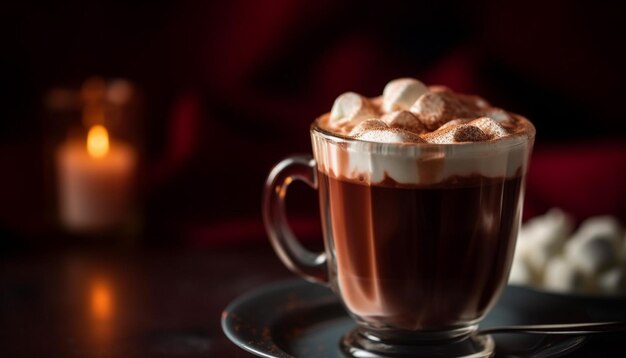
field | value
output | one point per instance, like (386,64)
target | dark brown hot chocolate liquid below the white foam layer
(421,257)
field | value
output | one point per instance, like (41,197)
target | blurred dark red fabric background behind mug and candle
(230,88)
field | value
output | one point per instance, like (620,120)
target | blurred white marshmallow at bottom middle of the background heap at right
(561,276)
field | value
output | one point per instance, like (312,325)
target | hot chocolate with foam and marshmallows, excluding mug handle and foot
(422,240)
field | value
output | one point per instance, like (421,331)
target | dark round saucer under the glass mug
(299,319)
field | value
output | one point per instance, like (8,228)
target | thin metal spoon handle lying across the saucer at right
(561,328)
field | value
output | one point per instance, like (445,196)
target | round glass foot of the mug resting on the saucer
(357,343)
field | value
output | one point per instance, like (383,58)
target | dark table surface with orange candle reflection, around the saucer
(140,303)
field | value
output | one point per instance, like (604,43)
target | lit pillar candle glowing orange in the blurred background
(95,181)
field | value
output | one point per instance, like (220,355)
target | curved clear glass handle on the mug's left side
(311,266)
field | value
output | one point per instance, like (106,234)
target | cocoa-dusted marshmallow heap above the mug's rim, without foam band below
(435,113)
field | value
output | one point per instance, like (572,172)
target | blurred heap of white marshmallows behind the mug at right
(555,255)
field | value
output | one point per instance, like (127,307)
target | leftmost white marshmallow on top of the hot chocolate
(350,108)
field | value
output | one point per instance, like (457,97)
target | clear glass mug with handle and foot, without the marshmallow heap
(419,238)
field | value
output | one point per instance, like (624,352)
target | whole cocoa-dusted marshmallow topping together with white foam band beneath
(416,134)
